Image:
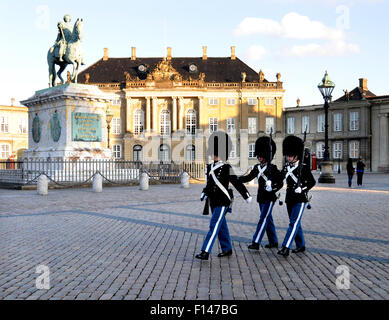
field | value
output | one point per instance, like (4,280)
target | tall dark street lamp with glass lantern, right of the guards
(326,86)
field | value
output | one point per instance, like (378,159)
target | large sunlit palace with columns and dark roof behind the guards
(165,107)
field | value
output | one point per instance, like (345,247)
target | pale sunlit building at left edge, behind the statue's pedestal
(13,131)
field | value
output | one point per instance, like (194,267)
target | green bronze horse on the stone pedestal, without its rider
(73,55)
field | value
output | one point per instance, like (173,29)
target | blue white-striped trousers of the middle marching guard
(266,223)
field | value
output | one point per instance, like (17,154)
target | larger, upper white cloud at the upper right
(292,25)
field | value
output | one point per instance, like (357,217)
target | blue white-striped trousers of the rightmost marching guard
(294,232)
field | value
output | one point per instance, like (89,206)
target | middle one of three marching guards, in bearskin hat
(269,182)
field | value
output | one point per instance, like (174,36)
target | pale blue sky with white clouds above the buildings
(300,39)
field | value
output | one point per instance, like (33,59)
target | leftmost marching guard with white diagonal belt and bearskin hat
(218,176)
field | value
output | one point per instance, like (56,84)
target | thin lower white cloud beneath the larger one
(331,49)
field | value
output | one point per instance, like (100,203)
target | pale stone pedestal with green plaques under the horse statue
(68,122)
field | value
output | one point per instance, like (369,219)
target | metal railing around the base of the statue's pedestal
(69,172)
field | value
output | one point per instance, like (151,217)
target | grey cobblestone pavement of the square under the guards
(130,244)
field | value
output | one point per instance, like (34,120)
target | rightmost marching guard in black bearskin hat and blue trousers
(299,180)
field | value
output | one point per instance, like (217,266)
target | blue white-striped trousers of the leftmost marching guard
(218,227)
